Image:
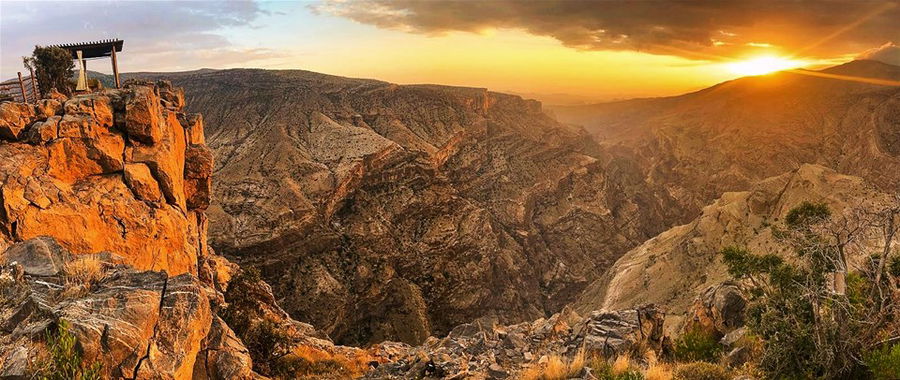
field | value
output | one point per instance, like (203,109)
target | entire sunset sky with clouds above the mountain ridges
(561,51)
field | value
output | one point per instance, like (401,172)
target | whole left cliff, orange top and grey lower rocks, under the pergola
(103,235)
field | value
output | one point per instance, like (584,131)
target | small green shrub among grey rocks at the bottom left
(64,361)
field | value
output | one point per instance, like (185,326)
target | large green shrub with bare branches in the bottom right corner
(806,329)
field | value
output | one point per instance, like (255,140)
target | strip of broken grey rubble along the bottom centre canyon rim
(484,349)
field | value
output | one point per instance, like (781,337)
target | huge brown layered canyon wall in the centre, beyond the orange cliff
(380,211)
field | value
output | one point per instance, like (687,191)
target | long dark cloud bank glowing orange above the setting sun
(693,29)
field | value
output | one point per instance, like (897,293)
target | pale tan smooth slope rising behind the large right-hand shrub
(673,268)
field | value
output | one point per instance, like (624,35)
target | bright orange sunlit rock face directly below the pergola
(107,172)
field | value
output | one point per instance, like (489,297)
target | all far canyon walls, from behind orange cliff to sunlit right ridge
(391,212)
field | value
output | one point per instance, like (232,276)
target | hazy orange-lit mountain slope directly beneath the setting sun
(725,138)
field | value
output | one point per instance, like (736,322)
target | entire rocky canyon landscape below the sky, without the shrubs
(406,230)
